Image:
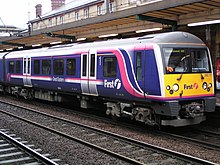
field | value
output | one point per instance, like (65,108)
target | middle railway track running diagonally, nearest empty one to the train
(120,147)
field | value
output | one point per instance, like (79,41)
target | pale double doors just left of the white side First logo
(89,72)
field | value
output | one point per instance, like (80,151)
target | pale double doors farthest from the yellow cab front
(27,71)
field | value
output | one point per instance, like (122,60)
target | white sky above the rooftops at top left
(18,12)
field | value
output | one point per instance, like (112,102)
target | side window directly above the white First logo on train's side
(110,67)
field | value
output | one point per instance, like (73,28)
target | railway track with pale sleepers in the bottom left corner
(15,151)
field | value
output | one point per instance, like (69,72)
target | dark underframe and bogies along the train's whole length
(173,113)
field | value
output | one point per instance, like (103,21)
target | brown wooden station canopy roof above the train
(169,12)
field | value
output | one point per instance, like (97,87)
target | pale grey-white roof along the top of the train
(162,38)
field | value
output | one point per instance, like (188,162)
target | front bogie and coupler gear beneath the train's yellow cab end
(161,114)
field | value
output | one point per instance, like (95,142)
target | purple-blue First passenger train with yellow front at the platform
(163,79)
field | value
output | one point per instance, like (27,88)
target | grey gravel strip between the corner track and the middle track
(66,150)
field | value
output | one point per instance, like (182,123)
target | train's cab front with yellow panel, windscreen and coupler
(188,85)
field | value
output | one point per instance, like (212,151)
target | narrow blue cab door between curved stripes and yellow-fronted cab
(140,68)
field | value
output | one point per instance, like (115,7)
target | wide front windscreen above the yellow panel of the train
(185,60)
